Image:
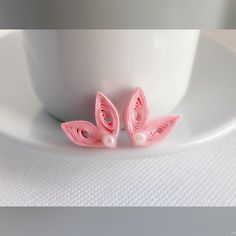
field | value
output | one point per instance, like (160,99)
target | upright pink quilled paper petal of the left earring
(107,116)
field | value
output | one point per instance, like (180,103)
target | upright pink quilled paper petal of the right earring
(136,112)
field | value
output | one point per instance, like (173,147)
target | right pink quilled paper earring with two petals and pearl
(140,131)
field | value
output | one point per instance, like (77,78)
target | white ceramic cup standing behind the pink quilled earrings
(68,68)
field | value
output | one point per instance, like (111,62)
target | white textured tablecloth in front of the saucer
(201,176)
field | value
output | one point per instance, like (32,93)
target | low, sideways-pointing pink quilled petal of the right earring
(159,129)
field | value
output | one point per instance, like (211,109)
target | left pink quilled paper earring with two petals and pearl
(106,132)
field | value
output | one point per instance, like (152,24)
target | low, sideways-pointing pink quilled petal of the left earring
(82,133)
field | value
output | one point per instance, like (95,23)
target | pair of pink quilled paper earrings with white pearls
(105,134)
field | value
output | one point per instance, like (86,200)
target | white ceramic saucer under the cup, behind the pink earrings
(208,109)
